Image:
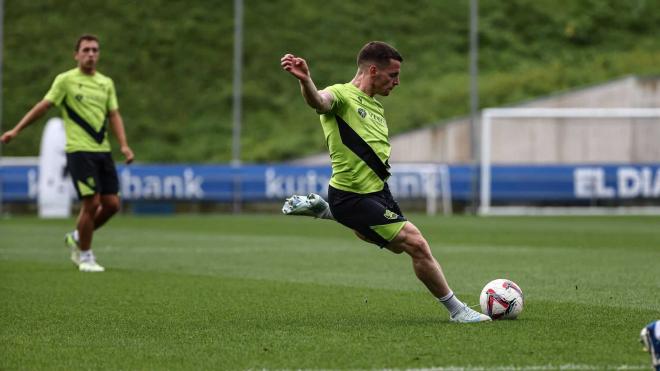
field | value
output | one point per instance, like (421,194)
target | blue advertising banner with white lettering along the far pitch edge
(221,183)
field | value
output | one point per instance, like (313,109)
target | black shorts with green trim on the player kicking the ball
(376,216)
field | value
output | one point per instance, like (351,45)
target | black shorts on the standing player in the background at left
(92,172)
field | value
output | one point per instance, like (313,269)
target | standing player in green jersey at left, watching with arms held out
(87,98)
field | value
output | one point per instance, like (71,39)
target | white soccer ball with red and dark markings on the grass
(501,299)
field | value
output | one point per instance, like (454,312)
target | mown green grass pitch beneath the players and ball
(277,292)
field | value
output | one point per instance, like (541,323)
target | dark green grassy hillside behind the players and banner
(172,62)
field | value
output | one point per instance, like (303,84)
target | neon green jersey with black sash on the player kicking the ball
(357,138)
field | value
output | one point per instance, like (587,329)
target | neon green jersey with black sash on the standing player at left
(85,101)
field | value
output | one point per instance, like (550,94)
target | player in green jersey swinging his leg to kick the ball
(356,133)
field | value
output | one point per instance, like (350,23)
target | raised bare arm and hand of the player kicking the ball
(321,101)
